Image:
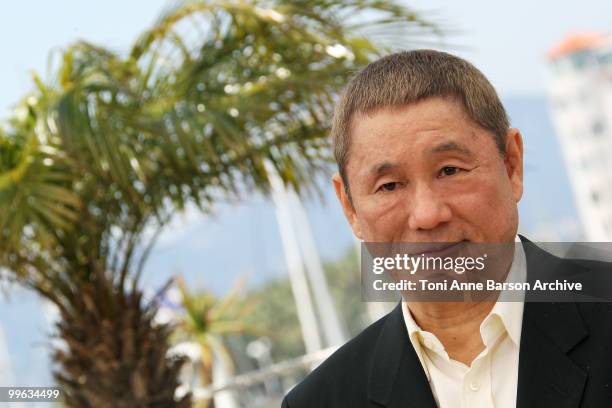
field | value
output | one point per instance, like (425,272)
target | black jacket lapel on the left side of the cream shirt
(397,379)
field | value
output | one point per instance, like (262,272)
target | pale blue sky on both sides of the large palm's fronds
(506,39)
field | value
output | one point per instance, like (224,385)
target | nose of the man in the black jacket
(428,210)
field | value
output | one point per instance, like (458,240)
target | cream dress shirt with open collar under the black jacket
(492,378)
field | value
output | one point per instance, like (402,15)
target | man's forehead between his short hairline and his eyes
(417,133)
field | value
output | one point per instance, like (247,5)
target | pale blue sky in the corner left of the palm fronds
(31,30)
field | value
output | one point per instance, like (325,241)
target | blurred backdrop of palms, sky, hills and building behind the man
(231,259)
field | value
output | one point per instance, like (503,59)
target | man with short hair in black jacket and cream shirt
(425,154)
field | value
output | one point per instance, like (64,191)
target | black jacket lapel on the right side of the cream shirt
(547,376)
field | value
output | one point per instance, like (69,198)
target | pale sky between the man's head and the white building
(508,40)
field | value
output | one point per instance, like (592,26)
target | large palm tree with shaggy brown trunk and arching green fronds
(97,159)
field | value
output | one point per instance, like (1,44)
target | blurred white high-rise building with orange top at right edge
(580,87)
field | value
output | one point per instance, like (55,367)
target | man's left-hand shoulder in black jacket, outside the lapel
(342,375)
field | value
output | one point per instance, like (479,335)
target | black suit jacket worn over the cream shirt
(565,358)
